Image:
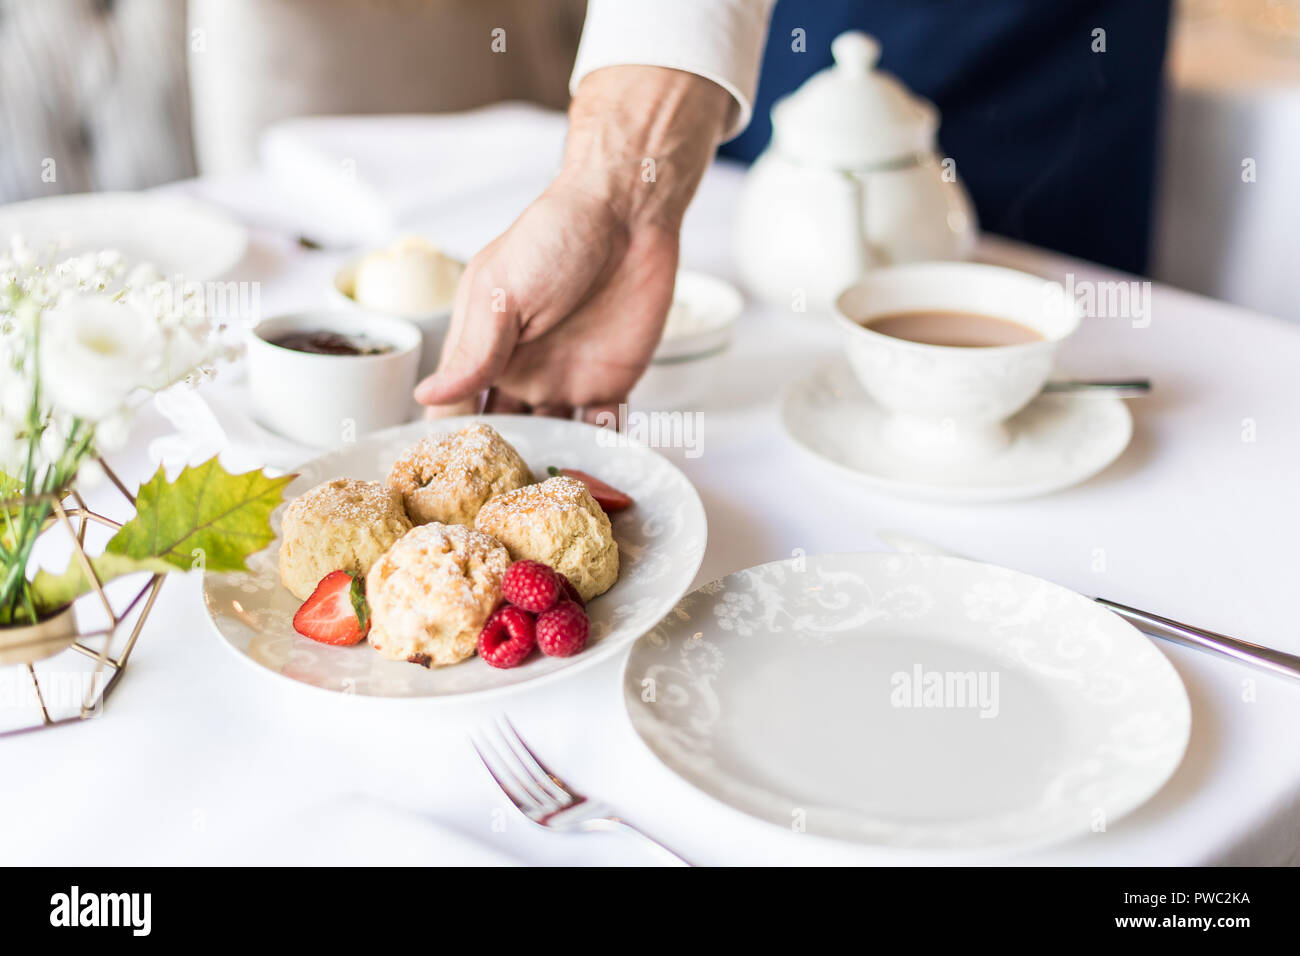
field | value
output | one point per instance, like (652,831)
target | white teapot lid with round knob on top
(853,115)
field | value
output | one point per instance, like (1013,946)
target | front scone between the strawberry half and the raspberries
(432,592)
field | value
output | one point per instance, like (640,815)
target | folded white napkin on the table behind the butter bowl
(359,180)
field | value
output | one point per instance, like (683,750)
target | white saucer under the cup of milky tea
(1056,442)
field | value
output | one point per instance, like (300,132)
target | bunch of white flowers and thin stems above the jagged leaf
(83,341)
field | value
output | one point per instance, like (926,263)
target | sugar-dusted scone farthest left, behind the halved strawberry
(341,526)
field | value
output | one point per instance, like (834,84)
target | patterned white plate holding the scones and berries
(661,546)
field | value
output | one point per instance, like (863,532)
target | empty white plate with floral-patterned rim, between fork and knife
(909,700)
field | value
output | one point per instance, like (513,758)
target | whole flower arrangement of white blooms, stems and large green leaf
(83,344)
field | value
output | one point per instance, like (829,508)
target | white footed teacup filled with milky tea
(950,404)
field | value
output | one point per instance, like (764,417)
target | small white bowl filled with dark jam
(331,400)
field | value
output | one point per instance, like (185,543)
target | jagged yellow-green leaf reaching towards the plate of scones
(206,518)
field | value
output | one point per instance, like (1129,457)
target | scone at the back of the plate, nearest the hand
(448,478)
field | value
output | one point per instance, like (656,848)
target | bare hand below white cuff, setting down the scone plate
(565,309)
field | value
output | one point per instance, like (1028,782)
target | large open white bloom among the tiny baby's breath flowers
(94,353)
